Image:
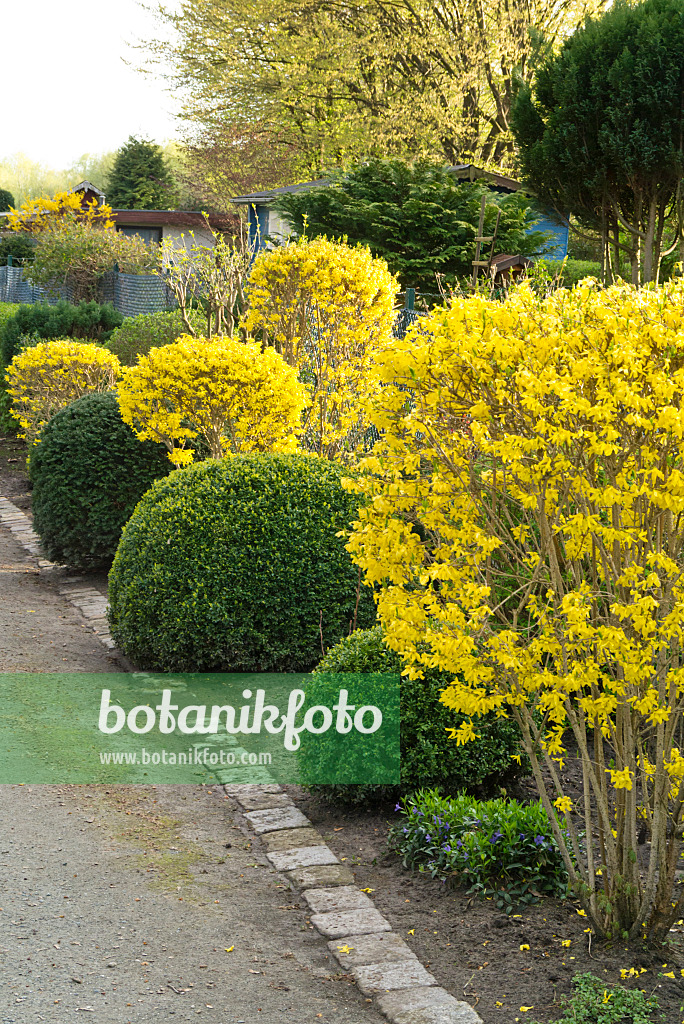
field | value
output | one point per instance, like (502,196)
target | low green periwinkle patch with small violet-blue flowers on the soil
(497,848)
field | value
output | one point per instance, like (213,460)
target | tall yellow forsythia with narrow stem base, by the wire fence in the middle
(328,309)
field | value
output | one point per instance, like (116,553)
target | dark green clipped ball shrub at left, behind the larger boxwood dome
(89,472)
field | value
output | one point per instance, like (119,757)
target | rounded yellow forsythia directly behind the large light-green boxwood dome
(232,395)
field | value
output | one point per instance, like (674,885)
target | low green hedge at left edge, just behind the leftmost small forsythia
(88,321)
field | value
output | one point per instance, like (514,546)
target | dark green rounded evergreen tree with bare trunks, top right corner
(602,134)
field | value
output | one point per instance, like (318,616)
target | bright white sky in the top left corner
(66,89)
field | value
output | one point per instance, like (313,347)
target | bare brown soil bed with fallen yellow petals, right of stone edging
(472,948)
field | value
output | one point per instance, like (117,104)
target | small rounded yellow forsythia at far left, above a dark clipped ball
(51,376)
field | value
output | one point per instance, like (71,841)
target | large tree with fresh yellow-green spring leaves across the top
(332,82)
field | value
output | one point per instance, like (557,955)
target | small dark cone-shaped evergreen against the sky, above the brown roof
(141,179)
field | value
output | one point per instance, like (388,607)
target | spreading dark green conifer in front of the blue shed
(420,219)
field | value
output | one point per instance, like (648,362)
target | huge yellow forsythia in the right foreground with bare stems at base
(539,557)
